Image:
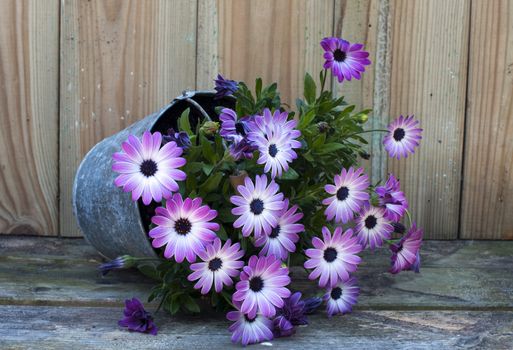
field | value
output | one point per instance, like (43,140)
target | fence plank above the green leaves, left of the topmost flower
(276,40)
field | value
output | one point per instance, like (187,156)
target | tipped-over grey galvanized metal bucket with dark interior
(107,216)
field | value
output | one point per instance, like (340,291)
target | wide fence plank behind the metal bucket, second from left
(121,60)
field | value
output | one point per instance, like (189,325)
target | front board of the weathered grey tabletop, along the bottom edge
(93,328)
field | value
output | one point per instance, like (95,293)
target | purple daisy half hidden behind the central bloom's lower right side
(284,235)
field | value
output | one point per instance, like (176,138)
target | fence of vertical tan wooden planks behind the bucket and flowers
(75,71)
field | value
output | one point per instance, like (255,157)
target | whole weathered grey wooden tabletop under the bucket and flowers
(54,298)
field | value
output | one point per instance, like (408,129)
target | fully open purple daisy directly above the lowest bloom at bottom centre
(262,286)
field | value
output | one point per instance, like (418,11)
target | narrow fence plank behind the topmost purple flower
(367,22)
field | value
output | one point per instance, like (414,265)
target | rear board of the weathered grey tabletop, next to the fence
(455,275)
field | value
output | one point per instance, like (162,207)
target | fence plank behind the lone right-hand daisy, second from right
(428,79)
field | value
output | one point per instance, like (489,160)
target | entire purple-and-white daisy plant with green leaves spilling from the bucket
(246,193)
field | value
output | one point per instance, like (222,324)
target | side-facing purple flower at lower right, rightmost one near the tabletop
(405,253)
